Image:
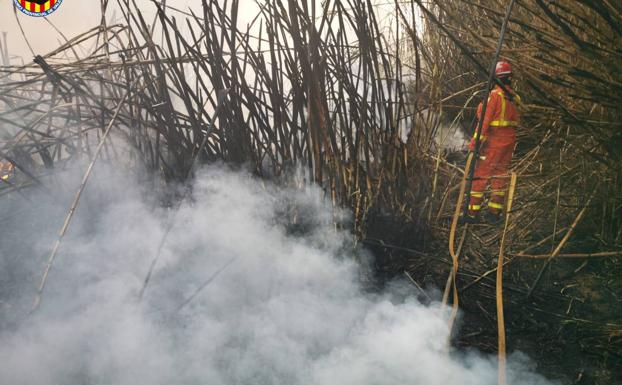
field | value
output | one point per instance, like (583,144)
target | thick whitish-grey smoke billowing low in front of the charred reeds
(286,309)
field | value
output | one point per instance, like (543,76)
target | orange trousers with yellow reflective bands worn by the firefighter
(492,167)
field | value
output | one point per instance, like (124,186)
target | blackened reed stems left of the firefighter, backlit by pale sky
(328,95)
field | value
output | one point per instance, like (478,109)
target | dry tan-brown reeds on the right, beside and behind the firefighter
(565,235)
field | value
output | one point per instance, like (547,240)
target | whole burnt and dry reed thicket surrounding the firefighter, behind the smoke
(362,101)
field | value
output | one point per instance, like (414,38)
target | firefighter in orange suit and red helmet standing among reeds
(497,142)
